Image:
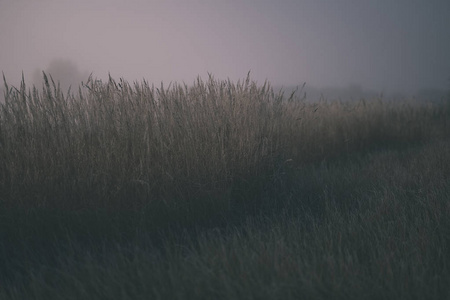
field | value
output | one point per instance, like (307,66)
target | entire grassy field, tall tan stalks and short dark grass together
(221,190)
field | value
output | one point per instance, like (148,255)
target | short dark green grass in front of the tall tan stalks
(373,226)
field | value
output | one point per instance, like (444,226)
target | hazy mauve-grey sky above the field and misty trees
(385,45)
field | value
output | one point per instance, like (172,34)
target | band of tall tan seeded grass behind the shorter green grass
(121,145)
